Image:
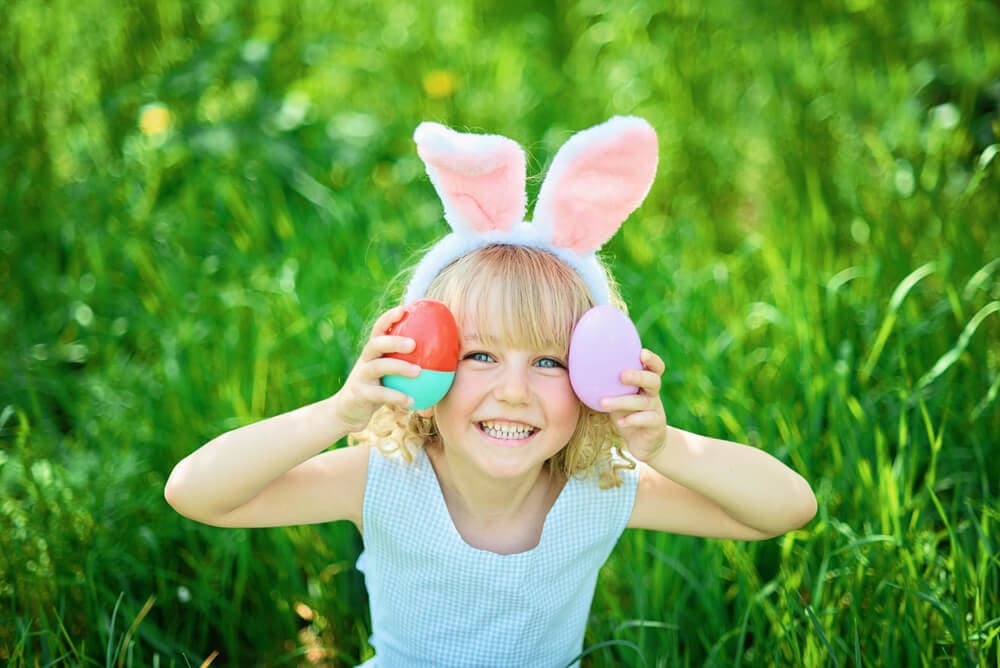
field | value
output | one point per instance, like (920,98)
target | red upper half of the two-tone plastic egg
(433,327)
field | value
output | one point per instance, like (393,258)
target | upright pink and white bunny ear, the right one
(596,180)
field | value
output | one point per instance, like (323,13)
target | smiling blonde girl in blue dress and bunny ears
(487,517)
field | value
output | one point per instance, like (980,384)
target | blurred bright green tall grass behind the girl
(202,203)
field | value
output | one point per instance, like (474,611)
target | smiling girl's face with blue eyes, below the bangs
(511,406)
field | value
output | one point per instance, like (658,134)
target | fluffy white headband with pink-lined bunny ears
(598,177)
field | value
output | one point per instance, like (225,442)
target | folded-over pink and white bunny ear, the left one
(479,178)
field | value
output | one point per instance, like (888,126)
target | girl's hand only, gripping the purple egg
(640,418)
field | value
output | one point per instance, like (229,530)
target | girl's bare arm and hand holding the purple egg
(702,486)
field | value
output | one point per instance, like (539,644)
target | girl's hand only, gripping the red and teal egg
(363,392)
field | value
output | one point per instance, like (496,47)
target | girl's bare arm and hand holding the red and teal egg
(270,473)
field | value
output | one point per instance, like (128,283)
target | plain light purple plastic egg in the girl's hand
(603,344)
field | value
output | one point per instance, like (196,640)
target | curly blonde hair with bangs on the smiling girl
(540,299)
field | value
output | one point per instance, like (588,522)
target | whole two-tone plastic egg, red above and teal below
(432,326)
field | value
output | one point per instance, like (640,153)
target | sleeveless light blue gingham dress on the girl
(436,601)
